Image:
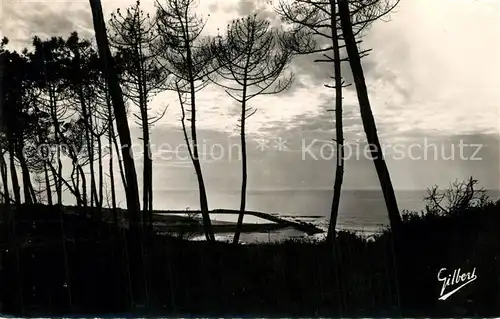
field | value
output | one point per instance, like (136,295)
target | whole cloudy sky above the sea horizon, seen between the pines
(432,80)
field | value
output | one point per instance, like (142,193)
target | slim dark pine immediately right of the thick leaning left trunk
(132,35)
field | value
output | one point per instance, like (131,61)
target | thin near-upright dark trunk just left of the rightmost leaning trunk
(339,129)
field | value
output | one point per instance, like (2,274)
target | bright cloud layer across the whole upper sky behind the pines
(432,69)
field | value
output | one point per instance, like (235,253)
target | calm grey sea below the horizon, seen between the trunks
(360,210)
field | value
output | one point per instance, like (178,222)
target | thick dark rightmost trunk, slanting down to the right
(367,117)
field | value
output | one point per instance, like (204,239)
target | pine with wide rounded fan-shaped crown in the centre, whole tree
(252,58)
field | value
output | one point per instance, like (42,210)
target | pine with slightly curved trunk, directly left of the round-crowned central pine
(189,58)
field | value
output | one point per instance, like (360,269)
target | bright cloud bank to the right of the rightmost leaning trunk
(436,67)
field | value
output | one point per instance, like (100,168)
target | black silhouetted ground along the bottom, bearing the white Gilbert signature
(88,274)
